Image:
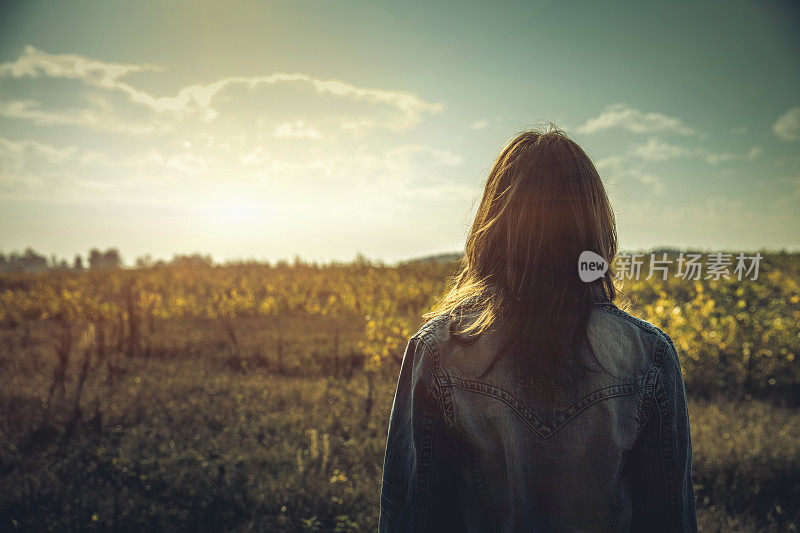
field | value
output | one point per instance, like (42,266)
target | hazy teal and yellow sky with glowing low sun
(327,128)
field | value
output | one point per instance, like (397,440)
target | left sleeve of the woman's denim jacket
(418,481)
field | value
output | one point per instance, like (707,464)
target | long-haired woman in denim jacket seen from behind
(529,401)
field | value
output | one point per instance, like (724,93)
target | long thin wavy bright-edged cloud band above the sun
(197,99)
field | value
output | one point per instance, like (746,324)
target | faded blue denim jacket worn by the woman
(609,452)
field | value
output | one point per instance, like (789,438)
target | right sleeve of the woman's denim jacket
(659,467)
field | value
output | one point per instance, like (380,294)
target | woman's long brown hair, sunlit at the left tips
(543,204)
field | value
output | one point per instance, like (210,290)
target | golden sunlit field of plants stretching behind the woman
(256,397)
